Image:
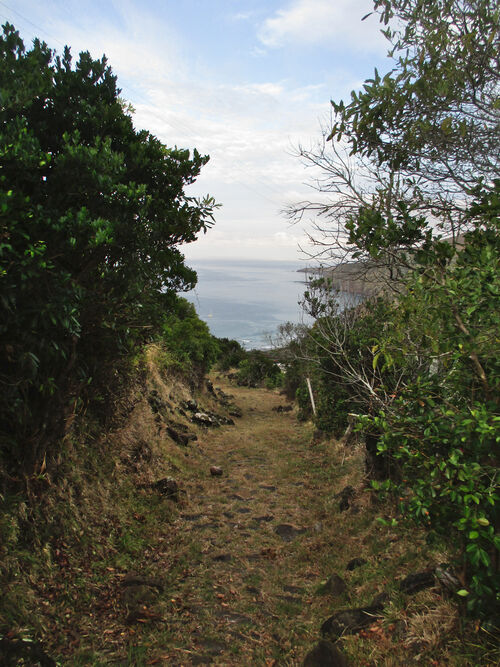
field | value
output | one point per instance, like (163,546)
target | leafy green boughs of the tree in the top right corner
(436,113)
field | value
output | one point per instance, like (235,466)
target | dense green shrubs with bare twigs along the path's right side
(423,371)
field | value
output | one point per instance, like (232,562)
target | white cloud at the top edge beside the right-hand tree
(334,22)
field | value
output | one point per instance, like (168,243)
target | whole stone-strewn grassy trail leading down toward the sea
(261,548)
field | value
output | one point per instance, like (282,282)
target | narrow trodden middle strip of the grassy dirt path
(241,586)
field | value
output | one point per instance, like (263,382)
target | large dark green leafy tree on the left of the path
(92,216)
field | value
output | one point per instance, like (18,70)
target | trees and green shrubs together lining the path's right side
(414,171)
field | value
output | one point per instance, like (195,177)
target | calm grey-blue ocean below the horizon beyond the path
(248,300)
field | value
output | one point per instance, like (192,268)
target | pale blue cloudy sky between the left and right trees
(244,81)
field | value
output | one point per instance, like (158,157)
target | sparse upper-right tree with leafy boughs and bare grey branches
(410,148)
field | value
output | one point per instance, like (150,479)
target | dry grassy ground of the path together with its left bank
(109,568)
